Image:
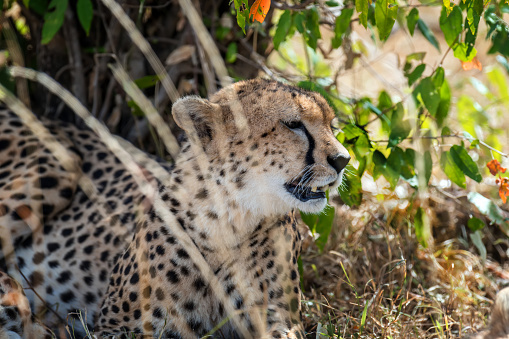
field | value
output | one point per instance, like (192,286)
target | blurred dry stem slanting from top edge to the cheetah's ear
(144,47)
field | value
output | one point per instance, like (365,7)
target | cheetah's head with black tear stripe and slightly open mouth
(284,155)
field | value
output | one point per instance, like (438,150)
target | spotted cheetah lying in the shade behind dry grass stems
(125,263)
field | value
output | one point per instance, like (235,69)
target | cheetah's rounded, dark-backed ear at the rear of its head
(195,116)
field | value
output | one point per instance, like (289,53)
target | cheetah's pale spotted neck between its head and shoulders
(205,201)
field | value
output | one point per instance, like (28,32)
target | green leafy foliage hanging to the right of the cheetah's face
(432,100)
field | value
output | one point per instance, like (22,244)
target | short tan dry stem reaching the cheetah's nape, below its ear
(162,129)
